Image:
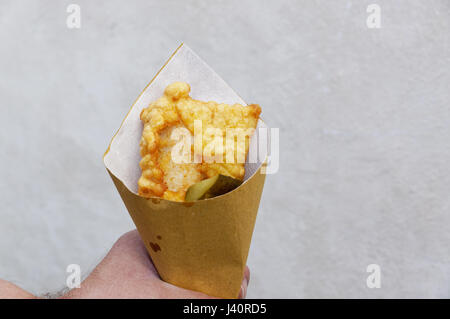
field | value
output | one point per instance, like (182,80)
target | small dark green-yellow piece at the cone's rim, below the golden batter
(211,187)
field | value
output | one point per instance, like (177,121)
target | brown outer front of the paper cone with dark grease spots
(203,245)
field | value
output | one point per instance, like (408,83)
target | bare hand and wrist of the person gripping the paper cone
(125,272)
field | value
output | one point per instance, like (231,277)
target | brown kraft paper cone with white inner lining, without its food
(203,245)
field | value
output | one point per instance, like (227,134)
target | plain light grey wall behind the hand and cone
(364,120)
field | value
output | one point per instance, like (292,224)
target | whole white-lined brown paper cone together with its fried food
(194,197)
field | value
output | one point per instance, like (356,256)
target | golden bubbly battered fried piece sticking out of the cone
(161,176)
